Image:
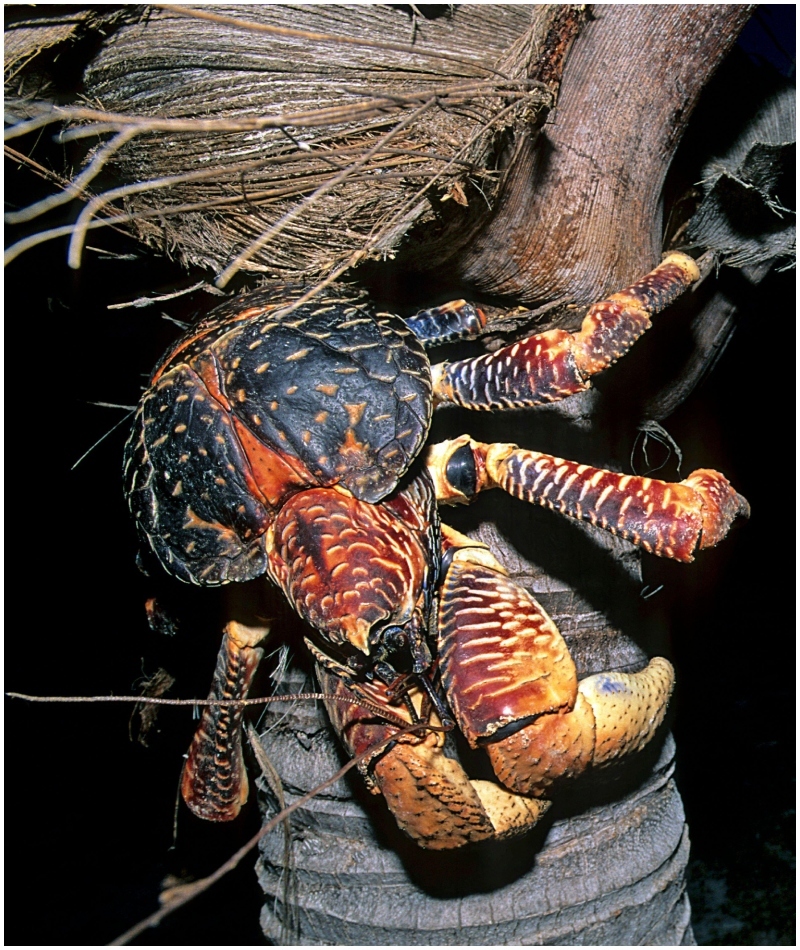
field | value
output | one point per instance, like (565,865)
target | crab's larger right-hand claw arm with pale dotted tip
(513,688)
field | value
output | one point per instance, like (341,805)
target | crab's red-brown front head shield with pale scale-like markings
(346,565)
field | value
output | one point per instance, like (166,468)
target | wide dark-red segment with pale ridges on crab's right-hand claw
(502,658)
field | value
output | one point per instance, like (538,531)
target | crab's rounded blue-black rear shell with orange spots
(258,401)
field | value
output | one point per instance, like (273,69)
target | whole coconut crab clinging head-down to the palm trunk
(281,438)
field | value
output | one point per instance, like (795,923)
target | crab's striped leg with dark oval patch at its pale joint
(665,518)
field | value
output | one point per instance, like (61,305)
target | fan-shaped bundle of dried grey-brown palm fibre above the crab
(368,140)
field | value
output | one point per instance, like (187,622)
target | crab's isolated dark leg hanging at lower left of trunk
(214,782)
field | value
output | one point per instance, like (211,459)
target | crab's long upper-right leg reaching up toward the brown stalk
(550,366)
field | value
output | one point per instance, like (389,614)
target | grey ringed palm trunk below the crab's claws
(611,875)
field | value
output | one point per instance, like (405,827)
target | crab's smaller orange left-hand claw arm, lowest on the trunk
(429,794)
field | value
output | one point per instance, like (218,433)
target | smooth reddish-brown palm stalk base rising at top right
(632,80)
